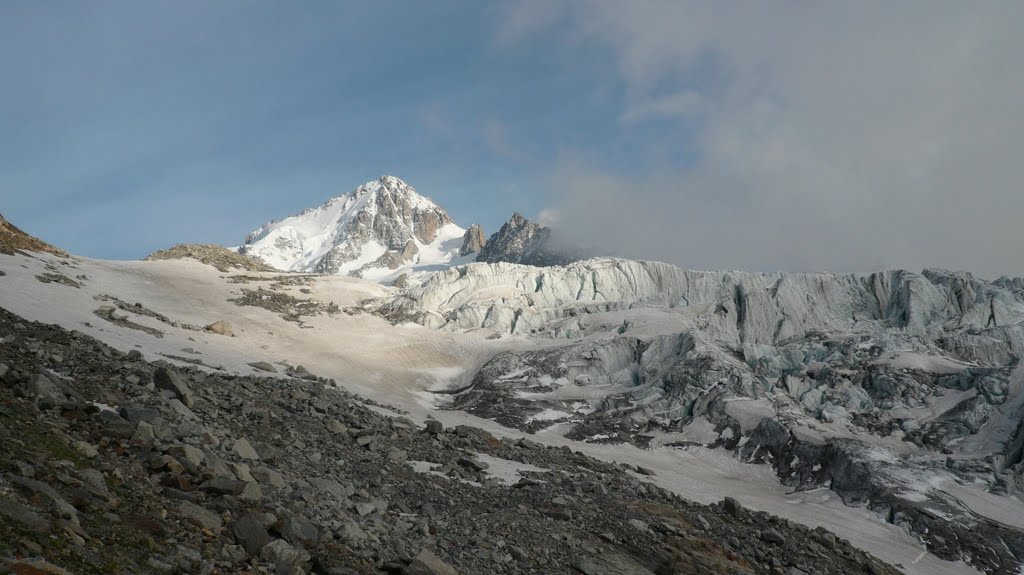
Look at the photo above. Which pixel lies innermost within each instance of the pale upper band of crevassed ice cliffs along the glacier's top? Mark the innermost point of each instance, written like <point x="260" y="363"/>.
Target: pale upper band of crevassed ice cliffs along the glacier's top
<point x="741" y="308"/>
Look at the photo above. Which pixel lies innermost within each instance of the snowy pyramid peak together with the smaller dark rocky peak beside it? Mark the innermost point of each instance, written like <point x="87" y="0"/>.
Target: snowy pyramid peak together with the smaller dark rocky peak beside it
<point x="385" y="230"/>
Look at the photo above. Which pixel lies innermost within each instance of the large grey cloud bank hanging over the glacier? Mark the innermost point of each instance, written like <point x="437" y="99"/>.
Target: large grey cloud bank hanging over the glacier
<point x="844" y="137"/>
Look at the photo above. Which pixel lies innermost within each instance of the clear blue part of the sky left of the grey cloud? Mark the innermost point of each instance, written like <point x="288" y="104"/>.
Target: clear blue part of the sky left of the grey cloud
<point x="131" y="126"/>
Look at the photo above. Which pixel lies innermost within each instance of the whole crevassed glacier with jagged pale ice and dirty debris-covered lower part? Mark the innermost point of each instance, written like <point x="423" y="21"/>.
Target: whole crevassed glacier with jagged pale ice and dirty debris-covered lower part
<point x="879" y="386"/>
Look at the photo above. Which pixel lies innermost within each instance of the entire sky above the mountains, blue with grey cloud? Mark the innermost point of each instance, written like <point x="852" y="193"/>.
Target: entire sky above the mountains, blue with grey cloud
<point x="786" y="136"/>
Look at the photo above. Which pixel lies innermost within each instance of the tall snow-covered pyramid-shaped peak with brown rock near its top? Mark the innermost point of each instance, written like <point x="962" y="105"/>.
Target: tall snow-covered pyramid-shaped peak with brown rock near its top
<point x="378" y="231"/>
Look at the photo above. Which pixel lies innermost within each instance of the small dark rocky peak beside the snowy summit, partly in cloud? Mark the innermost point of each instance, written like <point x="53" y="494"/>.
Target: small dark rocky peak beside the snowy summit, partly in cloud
<point x="523" y="242"/>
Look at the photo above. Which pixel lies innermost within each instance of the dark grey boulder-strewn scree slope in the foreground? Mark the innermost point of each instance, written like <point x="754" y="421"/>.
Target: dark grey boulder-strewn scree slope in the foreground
<point x="113" y="464"/>
